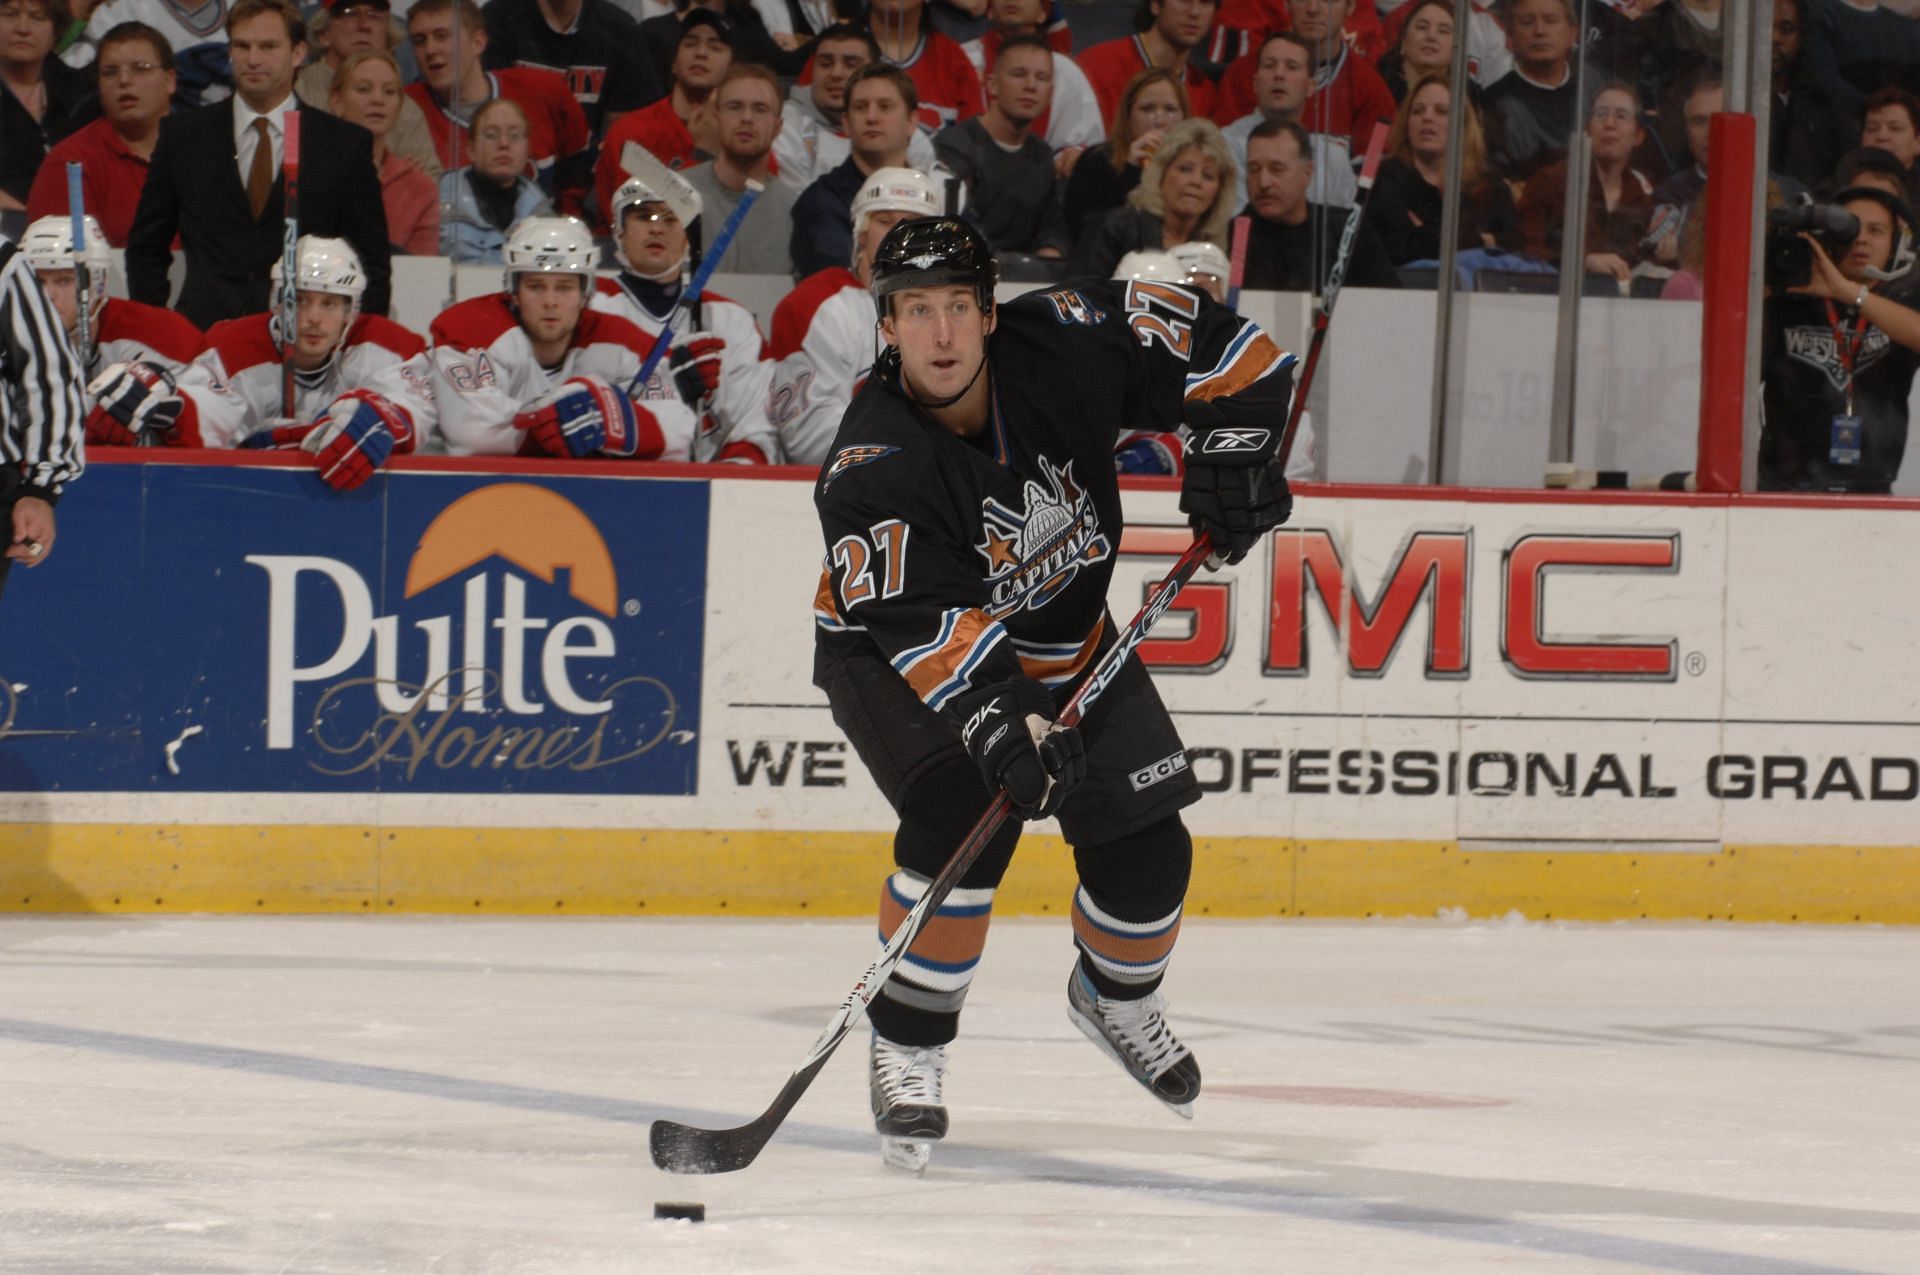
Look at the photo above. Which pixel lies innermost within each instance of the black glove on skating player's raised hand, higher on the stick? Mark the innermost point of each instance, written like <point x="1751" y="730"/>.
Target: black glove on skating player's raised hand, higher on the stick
<point x="1236" y="491"/>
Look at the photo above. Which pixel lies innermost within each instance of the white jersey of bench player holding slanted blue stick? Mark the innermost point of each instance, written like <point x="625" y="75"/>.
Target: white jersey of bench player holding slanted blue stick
<point x="738" y="420"/>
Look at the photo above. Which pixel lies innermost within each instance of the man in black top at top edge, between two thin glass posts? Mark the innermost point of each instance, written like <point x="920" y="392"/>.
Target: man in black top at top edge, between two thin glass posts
<point x="1533" y="110"/>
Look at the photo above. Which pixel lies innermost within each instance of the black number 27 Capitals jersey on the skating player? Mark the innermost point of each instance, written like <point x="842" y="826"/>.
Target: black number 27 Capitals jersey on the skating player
<point x="969" y="562"/>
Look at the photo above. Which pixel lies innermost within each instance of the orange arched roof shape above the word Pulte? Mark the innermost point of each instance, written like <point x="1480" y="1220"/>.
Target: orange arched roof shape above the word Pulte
<point x="531" y="527"/>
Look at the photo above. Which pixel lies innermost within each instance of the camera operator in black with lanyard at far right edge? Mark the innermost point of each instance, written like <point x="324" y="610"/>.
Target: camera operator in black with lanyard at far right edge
<point x="1838" y="354"/>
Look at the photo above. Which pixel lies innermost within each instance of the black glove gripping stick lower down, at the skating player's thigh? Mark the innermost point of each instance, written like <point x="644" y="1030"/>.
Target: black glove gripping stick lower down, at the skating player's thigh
<point x="1011" y="736"/>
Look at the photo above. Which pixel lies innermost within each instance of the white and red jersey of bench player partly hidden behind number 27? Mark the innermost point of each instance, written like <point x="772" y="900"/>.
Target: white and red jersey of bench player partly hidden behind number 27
<point x="823" y="352"/>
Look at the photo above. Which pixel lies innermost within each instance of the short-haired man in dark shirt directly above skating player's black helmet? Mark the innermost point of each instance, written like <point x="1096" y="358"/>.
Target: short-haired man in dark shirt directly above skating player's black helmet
<point x="1013" y="191"/>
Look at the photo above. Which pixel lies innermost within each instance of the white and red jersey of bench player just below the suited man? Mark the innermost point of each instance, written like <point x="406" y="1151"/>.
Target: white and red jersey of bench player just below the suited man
<point x="233" y="389"/>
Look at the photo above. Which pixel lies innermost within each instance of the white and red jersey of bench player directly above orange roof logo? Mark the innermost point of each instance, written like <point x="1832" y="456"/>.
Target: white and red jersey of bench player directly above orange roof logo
<point x="485" y="373"/>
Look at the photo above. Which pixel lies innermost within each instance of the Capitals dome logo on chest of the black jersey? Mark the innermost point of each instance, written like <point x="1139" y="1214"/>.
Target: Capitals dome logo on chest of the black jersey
<point x="1032" y="556"/>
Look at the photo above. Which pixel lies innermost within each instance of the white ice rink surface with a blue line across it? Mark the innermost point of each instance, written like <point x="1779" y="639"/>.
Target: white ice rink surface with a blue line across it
<point x="420" y="1097"/>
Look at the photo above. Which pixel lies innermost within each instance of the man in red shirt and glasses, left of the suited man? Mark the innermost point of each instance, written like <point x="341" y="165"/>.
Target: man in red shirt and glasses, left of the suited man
<point x="135" y="72"/>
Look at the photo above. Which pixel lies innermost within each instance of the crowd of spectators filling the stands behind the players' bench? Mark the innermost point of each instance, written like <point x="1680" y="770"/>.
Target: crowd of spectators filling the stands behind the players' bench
<point x="443" y="126"/>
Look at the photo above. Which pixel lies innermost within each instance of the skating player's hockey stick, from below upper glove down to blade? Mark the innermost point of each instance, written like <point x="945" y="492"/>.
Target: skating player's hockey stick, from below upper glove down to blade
<point x="684" y="1149"/>
